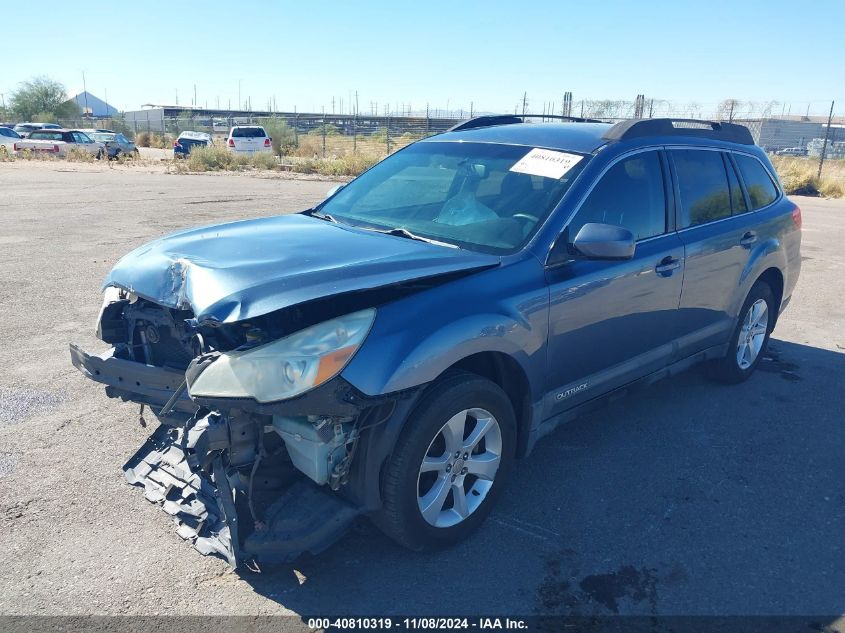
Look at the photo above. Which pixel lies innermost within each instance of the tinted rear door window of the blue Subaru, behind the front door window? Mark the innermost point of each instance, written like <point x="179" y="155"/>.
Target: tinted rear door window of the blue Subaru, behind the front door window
<point x="703" y="185"/>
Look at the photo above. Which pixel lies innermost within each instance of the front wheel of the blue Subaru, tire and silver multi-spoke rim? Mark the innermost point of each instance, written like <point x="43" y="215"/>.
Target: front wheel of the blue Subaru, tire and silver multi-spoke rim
<point x="450" y="463"/>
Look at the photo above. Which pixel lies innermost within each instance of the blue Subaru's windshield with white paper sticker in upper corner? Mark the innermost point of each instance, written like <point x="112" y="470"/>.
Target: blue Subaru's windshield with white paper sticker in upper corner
<point x="480" y="196"/>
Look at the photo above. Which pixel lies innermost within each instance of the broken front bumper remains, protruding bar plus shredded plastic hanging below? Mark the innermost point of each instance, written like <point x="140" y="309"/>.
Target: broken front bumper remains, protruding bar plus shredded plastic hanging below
<point x="202" y="468"/>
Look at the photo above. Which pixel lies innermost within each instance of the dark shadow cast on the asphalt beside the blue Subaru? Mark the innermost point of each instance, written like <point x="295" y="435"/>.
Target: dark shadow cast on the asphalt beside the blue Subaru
<point x="684" y="498"/>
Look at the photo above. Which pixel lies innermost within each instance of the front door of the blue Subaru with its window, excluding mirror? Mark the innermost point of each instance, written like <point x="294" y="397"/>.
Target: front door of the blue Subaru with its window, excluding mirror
<point x="611" y="322"/>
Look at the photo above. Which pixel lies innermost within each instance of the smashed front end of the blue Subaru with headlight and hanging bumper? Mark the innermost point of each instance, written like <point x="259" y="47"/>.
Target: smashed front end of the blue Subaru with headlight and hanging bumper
<point x="258" y="433"/>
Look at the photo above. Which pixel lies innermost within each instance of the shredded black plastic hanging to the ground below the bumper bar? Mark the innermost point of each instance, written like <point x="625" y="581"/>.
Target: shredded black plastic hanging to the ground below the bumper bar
<point x="210" y="508"/>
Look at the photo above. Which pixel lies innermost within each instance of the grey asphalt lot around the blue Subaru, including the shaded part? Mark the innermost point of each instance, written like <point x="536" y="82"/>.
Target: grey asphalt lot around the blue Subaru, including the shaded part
<point x="685" y="498"/>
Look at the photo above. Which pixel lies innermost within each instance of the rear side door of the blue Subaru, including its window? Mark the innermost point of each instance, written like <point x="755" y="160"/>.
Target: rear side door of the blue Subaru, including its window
<point x="718" y="234"/>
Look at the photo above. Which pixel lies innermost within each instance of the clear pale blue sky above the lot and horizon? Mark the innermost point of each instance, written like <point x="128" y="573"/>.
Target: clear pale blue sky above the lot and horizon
<point x="446" y="54"/>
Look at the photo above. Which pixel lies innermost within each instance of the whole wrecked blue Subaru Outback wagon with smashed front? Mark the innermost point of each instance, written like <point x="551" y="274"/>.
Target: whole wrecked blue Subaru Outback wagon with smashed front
<point x="392" y="351"/>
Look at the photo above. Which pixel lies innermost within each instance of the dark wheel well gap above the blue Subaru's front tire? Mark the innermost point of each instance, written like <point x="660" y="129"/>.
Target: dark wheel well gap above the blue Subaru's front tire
<point x="507" y="373"/>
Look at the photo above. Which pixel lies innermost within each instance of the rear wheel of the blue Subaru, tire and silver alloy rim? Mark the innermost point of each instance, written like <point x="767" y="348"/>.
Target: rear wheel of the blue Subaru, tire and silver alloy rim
<point x="750" y="338"/>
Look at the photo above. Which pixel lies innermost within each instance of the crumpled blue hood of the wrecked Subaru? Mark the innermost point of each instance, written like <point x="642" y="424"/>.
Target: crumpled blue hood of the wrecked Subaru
<point x="240" y="270"/>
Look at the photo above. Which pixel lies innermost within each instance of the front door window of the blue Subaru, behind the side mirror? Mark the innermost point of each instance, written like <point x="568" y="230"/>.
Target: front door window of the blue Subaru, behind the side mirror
<point x="631" y="195"/>
